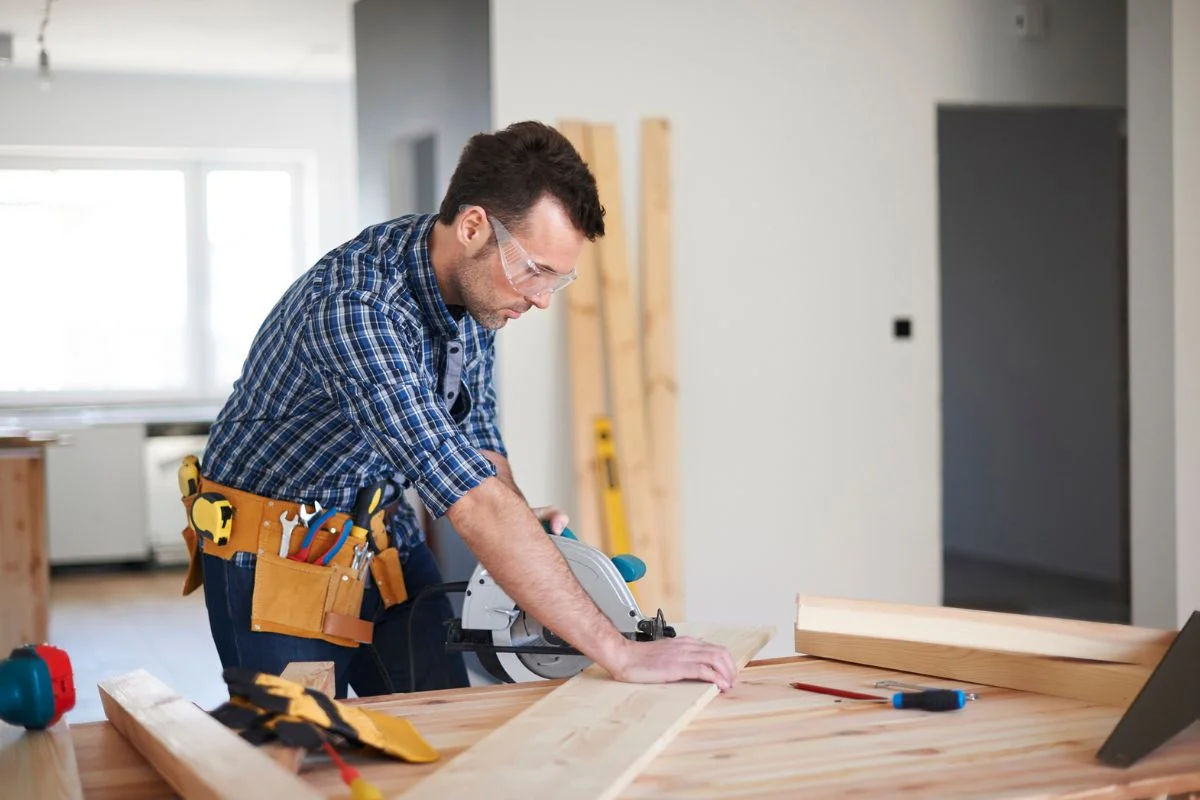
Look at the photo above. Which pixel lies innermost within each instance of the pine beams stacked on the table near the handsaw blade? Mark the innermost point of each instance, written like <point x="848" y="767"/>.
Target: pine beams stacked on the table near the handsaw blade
<point x="1097" y="663"/>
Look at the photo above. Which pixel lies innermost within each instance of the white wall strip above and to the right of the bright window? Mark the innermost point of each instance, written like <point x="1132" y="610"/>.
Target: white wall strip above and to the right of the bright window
<point x="212" y="115"/>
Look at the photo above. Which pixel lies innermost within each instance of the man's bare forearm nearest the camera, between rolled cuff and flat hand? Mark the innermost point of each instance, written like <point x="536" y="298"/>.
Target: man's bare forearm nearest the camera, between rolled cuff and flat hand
<point x="505" y="534"/>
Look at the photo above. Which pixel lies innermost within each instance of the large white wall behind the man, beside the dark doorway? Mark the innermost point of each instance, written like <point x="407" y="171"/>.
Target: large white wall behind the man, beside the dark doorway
<point x="806" y="219"/>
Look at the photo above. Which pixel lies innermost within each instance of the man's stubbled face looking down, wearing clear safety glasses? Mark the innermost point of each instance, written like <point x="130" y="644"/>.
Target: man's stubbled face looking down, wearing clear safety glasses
<point x="548" y="239"/>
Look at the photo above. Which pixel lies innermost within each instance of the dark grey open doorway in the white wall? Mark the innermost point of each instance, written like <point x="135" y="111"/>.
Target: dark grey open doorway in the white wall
<point x="1035" y="377"/>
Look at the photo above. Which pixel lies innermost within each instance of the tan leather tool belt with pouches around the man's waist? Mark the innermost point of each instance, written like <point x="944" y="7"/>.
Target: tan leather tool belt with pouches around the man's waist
<point x="298" y="598"/>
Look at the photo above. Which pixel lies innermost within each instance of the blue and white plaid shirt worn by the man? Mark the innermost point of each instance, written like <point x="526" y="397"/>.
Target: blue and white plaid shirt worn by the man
<point x="362" y="372"/>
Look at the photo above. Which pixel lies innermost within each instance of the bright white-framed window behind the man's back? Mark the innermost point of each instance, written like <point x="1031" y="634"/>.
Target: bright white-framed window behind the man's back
<point x="139" y="281"/>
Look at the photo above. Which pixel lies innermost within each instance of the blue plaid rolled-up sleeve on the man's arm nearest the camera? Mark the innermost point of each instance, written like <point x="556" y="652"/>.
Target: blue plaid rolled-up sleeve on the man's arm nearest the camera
<point x="358" y="348"/>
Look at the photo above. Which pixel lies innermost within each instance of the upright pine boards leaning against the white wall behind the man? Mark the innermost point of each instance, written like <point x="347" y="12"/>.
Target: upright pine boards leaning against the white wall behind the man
<point x="622" y="368"/>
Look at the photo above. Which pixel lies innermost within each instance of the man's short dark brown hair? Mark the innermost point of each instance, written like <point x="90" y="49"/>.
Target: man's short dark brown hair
<point x="509" y="171"/>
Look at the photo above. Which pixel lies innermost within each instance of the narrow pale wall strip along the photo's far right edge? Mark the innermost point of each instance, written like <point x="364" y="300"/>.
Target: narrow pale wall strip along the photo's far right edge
<point x="1186" y="123"/>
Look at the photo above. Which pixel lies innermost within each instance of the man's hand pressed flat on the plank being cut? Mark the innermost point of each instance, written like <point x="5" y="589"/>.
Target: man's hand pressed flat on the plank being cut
<point x="679" y="659"/>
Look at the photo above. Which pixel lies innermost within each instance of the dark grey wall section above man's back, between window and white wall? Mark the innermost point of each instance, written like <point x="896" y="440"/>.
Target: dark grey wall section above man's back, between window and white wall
<point x="423" y="70"/>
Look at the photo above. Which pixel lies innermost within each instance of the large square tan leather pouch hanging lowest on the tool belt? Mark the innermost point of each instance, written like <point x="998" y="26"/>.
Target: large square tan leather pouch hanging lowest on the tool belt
<point x="308" y="600"/>
